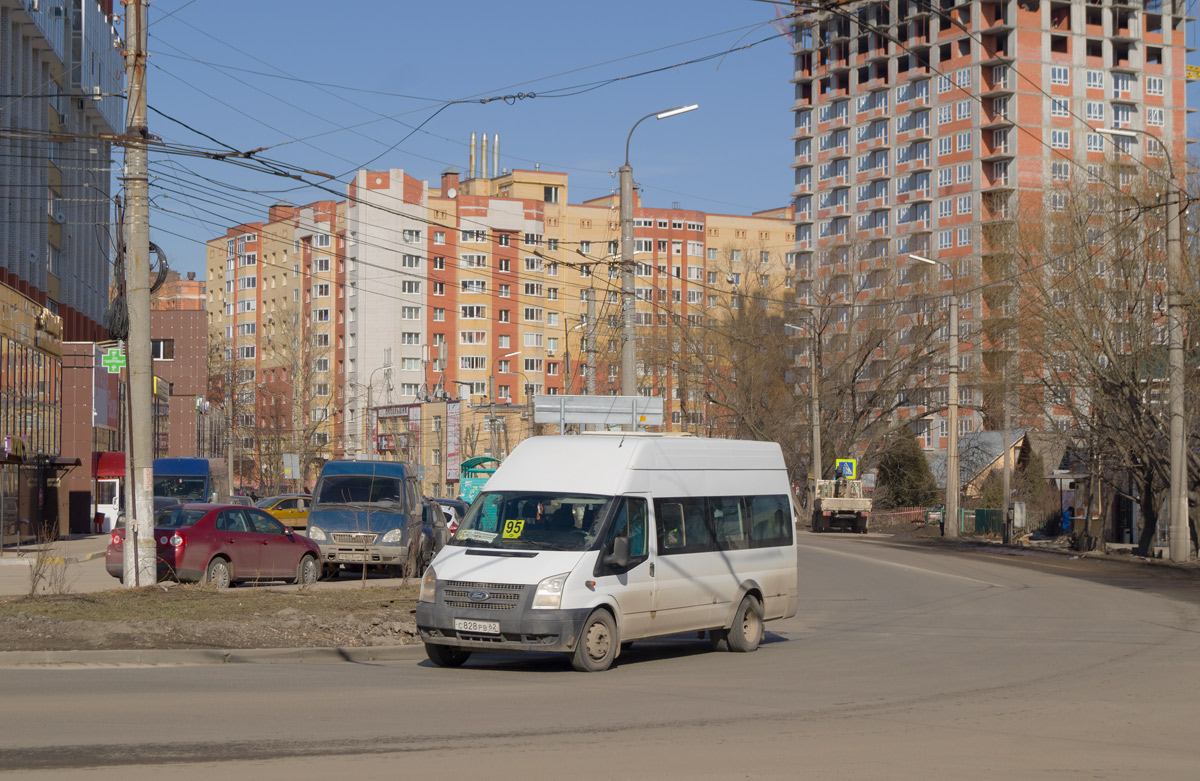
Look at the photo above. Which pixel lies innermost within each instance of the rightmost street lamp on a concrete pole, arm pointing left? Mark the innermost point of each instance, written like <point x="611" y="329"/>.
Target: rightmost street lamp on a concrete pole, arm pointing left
<point x="1180" y="549"/>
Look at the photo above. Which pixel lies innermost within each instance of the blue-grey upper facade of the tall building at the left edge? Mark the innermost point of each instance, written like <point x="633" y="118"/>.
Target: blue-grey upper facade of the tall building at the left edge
<point x="62" y="75"/>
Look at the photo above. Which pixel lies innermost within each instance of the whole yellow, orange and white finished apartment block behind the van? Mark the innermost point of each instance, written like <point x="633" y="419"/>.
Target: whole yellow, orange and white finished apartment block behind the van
<point x="484" y="289"/>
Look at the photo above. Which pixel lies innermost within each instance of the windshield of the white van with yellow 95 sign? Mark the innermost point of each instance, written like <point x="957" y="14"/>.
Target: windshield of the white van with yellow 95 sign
<point x="533" y="521"/>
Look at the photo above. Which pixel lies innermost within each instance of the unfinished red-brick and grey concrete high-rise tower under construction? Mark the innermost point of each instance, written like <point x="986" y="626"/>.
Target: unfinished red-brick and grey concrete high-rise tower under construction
<point x="935" y="128"/>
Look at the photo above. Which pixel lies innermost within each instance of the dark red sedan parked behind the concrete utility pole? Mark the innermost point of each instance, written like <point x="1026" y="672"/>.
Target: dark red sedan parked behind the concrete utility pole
<point x="223" y="545"/>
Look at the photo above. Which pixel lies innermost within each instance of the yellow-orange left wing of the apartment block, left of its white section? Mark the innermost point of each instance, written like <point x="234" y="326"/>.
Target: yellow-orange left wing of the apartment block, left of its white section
<point x="278" y="309"/>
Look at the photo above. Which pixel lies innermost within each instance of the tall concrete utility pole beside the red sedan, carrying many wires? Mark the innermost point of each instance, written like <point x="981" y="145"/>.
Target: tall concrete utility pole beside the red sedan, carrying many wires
<point x="137" y="271"/>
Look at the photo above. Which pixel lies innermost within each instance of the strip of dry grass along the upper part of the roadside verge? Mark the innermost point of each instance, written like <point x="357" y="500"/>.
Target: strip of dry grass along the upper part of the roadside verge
<point x="201" y="603"/>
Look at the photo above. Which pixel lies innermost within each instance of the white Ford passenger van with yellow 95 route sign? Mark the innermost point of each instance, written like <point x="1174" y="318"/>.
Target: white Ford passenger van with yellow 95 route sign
<point x="581" y="544"/>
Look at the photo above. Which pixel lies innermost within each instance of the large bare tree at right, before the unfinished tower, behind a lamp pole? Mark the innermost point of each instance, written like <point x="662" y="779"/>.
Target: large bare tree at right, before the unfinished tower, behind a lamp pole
<point x="1095" y="283"/>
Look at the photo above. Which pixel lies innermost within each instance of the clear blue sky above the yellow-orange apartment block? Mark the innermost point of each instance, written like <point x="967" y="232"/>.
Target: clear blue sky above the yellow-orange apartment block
<point x="405" y="61"/>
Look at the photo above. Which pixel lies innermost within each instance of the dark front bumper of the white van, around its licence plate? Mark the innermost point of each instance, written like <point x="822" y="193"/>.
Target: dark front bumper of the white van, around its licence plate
<point x="521" y="629"/>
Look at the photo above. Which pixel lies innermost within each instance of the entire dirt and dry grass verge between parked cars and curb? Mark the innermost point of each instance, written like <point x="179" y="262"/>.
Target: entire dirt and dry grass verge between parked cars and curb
<point x="195" y="617"/>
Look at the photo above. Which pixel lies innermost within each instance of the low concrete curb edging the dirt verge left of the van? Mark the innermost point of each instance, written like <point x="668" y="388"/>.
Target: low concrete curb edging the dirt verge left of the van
<point x="157" y="658"/>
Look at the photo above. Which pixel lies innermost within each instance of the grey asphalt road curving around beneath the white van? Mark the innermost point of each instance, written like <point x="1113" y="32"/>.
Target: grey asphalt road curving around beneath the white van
<point x="903" y="663"/>
